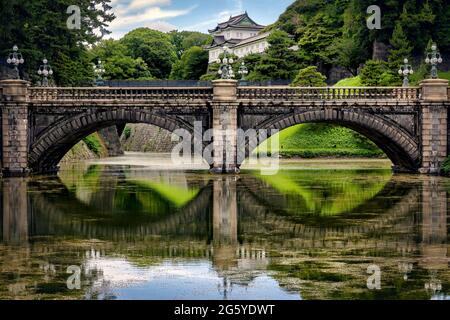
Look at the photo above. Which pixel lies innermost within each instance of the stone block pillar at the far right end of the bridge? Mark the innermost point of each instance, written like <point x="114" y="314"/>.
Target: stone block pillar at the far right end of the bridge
<point x="434" y="124"/>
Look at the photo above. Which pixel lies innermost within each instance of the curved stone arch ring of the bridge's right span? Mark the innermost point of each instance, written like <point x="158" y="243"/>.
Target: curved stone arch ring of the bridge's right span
<point x="399" y="145"/>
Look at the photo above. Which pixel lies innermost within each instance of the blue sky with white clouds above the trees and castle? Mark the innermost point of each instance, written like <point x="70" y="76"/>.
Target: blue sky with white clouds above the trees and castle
<point x="195" y="15"/>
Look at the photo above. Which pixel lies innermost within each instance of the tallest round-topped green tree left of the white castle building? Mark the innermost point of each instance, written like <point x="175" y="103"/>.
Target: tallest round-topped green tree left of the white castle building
<point x="154" y="47"/>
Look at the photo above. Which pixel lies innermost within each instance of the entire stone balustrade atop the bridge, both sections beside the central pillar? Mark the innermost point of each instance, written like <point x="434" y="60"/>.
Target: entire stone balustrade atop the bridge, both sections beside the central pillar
<point x="206" y="93"/>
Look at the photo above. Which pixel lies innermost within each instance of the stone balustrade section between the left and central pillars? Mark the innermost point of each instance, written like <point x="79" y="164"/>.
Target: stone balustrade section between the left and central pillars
<point x="112" y="93"/>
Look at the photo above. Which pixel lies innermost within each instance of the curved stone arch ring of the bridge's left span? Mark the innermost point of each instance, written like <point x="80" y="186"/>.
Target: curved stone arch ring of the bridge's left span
<point x="50" y="147"/>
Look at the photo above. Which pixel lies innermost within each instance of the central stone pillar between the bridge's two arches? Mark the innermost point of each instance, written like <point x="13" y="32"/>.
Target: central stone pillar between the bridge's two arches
<point x="224" y="125"/>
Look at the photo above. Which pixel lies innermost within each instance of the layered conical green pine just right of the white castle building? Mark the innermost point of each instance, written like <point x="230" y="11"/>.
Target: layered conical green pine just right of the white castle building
<point x="279" y="62"/>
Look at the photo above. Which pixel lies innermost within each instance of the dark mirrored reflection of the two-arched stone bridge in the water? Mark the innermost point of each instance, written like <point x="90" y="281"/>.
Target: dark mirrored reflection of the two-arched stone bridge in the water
<point x="226" y="212"/>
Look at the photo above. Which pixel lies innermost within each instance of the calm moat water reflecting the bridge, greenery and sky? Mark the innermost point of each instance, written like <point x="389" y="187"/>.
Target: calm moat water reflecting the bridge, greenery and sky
<point x="136" y="227"/>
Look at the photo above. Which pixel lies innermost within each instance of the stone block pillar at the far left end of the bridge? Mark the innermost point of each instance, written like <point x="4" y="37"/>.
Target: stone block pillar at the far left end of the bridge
<point x="14" y="128"/>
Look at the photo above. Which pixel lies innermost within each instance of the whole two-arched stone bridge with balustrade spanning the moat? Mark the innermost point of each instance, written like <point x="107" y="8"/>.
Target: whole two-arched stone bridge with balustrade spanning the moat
<point x="39" y="125"/>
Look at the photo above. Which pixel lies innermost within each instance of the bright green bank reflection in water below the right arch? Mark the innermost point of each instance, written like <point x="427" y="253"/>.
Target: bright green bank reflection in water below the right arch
<point x="324" y="192"/>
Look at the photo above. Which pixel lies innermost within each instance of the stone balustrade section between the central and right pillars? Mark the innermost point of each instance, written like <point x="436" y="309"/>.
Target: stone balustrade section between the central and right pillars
<point x="329" y="93"/>
